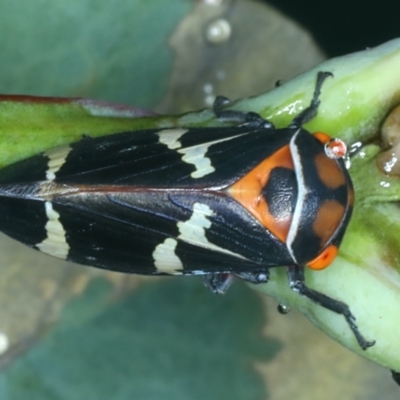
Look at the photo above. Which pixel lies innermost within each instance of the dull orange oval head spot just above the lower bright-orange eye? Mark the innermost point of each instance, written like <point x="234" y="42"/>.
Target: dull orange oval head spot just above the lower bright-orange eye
<point x="328" y="218"/>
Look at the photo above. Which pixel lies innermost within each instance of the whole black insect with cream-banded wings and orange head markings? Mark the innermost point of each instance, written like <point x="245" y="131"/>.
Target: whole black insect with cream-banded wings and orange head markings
<point x="215" y="202"/>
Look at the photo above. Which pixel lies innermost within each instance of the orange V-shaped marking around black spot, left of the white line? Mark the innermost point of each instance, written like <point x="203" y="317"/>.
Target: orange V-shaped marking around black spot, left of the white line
<point x="248" y="192"/>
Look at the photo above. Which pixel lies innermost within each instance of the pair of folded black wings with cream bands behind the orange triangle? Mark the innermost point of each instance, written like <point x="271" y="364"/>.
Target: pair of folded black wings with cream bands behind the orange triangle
<point x="120" y="230"/>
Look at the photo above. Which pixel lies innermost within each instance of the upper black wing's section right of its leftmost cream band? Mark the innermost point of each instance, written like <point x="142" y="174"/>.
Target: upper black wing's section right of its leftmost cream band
<point x="141" y="159"/>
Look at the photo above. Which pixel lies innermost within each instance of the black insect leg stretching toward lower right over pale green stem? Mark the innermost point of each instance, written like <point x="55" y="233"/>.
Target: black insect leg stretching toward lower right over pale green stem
<point x="297" y="283"/>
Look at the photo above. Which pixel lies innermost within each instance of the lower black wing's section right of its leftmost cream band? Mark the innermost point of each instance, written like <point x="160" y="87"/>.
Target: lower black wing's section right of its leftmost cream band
<point x="122" y="231"/>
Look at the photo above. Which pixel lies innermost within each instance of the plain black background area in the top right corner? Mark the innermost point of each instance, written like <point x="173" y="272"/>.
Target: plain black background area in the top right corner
<point x="348" y="26"/>
